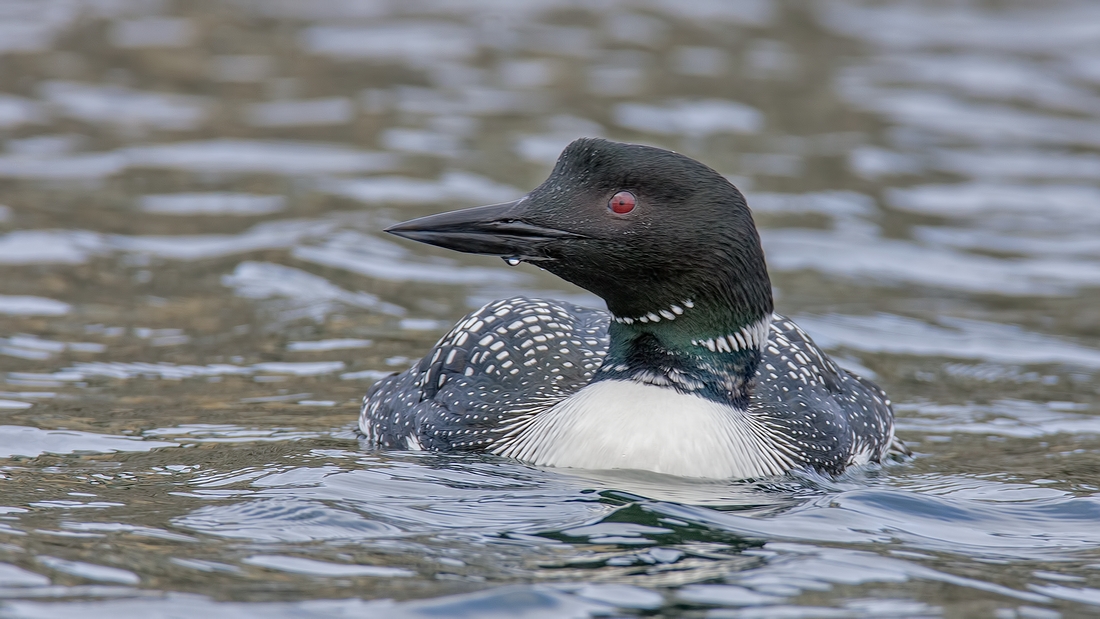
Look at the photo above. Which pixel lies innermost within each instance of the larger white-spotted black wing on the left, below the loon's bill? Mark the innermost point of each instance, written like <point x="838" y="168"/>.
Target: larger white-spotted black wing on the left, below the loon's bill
<point x="497" y="368"/>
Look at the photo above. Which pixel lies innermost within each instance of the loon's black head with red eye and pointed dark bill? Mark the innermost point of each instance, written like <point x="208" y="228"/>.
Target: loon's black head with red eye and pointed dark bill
<point x="666" y="241"/>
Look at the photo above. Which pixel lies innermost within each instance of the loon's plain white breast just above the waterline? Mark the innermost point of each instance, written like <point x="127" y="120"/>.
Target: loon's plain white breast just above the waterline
<point x="628" y="425"/>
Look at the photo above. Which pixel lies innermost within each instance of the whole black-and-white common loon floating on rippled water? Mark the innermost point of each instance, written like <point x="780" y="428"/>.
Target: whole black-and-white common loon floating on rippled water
<point x="689" y="373"/>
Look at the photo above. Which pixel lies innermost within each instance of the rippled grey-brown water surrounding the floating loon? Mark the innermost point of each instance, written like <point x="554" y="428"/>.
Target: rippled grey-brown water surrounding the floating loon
<point x="196" y="294"/>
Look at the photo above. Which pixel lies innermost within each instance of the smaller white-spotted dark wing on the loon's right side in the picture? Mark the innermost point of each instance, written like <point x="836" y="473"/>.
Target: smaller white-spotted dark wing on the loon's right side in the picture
<point x="821" y="413"/>
